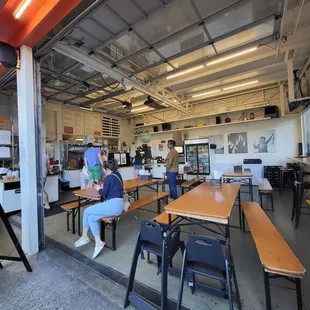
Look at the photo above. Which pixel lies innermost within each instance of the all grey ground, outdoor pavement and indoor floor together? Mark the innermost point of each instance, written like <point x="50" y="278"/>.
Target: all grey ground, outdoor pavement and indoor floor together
<point x="64" y="278"/>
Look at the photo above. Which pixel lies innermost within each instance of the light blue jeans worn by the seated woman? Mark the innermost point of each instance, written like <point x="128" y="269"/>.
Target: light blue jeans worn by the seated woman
<point x="93" y="214"/>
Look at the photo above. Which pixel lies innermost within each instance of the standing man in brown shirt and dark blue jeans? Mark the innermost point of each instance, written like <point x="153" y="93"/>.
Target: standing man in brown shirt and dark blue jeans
<point x="172" y="168"/>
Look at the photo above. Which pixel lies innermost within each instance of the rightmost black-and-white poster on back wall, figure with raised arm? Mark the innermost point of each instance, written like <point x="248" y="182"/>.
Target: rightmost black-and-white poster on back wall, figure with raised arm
<point x="264" y="141"/>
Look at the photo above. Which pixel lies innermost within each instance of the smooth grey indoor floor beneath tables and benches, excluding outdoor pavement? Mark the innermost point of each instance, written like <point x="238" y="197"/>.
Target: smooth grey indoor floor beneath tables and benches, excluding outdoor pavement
<point x="248" y="267"/>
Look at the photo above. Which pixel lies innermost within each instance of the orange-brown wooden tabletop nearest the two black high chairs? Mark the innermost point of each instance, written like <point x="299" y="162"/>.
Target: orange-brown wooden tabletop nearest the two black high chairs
<point x="206" y="202"/>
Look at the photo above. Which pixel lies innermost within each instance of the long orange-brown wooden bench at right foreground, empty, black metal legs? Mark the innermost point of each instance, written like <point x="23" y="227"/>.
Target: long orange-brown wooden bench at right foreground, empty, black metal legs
<point x="277" y="258"/>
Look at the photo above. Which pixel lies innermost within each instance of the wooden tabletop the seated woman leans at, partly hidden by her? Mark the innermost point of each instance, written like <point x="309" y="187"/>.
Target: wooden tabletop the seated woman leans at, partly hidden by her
<point x="91" y="193"/>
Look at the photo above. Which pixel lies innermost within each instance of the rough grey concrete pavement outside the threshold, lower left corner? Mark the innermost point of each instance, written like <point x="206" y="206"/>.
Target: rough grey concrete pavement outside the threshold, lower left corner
<point x="57" y="282"/>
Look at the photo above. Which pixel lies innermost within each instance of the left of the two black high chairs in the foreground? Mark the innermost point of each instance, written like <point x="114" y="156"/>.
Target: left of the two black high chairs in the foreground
<point x="163" y="241"/>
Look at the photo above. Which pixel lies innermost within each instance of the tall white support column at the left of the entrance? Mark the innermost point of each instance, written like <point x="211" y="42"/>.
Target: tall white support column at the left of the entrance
<point x="27" y="150"/>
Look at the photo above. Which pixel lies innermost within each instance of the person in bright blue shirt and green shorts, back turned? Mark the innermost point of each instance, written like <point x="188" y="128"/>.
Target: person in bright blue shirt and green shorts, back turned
<point x="93" y="162"/>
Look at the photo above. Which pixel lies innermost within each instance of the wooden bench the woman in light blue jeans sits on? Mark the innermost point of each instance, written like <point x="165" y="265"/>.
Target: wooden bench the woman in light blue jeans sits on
<point x="112" y="221"/>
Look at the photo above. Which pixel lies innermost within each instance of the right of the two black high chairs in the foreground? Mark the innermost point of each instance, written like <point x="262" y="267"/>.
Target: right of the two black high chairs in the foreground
<point x="204" y="256"/>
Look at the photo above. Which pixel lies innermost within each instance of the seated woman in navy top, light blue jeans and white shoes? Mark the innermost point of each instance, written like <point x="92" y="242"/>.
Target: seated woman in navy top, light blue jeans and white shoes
<point x="112" y="191"/>
